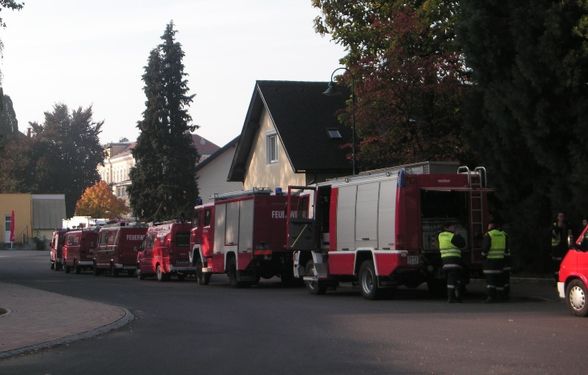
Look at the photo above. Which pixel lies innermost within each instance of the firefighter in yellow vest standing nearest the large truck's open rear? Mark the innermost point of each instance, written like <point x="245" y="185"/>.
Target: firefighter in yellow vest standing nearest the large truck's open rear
<point x="450" y="245"/>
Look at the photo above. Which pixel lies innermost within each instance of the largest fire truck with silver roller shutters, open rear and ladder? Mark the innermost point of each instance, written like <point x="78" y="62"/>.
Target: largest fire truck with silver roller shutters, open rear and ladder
<point x="379" y="228"/>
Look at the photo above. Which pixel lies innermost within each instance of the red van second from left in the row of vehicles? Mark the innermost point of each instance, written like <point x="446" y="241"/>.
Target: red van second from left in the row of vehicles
<point x="78" y="250"/>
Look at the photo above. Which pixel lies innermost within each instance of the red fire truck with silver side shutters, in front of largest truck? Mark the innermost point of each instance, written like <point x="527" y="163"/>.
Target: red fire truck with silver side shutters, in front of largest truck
<point x="242" y="234"/>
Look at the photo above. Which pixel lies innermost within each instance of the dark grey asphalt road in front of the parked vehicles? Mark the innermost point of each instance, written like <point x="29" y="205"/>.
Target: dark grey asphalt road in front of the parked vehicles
<point x="184" y="329"/>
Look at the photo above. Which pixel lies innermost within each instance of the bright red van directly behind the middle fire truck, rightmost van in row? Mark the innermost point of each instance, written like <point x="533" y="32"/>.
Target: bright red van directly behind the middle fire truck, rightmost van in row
<point x="165" y="252"/>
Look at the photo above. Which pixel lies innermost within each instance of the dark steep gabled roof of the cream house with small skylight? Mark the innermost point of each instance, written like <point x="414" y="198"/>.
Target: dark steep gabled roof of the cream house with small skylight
<point x="302" y="116"/>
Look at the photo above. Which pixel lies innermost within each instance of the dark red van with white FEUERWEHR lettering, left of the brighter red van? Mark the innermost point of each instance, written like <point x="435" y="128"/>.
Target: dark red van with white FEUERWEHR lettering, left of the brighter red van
<point x="117" y="248"/>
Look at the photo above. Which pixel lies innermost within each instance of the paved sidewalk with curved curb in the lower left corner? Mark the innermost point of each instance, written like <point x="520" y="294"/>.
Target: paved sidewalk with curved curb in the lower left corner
<point x="37" y="319"/>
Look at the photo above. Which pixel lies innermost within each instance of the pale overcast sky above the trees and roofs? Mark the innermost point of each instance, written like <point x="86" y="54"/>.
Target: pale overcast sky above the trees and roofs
<point x="82" y="53"/>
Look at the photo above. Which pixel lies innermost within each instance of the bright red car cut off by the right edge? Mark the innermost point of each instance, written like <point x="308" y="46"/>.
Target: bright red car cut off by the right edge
<point x="573" y="276"/>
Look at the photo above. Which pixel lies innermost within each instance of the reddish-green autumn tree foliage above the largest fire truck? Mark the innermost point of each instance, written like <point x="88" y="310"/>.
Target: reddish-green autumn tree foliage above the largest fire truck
<point x="409" y="77"/>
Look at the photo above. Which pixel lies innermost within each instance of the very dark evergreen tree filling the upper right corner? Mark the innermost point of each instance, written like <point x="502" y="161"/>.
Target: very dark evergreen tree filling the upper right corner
<point x="528" y="115"/>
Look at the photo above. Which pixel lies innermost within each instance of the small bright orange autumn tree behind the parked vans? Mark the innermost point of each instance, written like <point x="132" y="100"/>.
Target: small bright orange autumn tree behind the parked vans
<point x="99" y="201"/>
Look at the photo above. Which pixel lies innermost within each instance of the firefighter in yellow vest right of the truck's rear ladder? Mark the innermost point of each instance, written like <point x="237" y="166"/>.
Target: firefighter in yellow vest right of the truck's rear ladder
<point x="494" y="252"/>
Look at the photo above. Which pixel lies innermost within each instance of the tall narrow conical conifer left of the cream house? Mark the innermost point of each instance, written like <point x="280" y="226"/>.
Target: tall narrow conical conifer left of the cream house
<point x="163" y="180"/>
